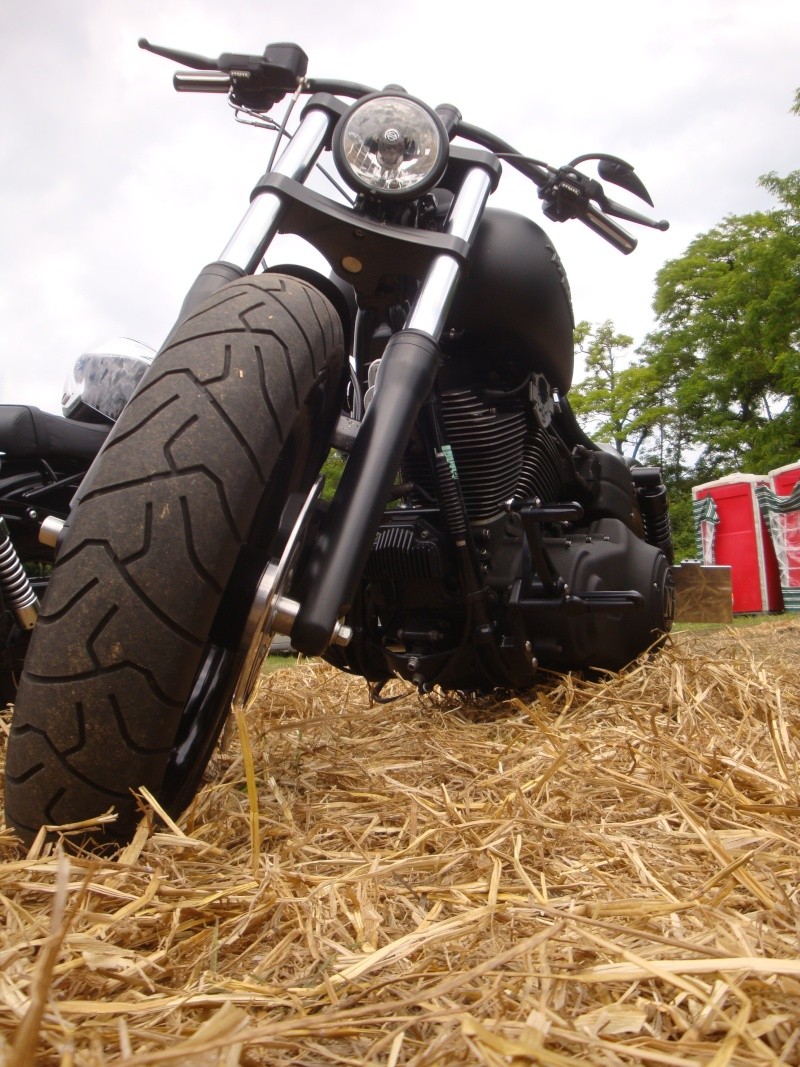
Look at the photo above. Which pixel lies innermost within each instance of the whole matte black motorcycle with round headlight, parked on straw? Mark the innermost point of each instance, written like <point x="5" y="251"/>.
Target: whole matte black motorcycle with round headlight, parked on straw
<point x="477" y="536"/>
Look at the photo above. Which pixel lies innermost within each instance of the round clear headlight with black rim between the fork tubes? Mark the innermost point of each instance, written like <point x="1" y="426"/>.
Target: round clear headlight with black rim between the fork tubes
<point x="391" y="146"/>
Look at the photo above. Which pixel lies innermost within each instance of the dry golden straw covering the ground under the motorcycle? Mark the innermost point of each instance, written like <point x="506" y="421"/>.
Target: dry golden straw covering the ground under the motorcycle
<point x="600" y="873"/>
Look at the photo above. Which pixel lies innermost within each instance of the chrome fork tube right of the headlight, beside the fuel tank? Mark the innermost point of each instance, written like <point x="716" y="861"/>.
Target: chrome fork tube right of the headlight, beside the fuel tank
<point x="436" y="295"/>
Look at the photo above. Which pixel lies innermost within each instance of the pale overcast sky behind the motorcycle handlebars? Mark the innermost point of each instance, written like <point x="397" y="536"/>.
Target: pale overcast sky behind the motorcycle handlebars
<point x="116" y="190"/>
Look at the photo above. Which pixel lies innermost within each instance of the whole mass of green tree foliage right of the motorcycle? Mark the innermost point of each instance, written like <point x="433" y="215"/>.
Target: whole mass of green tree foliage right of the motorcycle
<point x="716" y="388"/>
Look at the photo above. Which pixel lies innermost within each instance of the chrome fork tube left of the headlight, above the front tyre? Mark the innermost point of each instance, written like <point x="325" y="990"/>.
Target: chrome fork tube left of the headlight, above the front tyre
<point x="261" y="224"/>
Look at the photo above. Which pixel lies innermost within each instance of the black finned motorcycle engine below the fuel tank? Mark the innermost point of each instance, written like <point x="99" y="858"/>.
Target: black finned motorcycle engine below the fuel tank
<point x="559" y="535"/>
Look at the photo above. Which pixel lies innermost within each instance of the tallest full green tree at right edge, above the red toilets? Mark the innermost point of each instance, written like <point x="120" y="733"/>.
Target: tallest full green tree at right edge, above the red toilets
<point x="729" y="333"/>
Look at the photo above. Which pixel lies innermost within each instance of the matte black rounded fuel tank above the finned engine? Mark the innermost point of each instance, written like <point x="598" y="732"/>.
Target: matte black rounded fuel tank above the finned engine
<point x="516" y="296"/>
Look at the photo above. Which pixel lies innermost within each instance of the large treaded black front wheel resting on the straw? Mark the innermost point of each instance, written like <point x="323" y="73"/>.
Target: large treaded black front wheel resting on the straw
<point x="133" y="661"/>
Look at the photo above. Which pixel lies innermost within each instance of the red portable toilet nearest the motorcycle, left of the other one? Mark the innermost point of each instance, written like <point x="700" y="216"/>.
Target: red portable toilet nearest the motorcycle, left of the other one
<point x="740" y="539"/>
